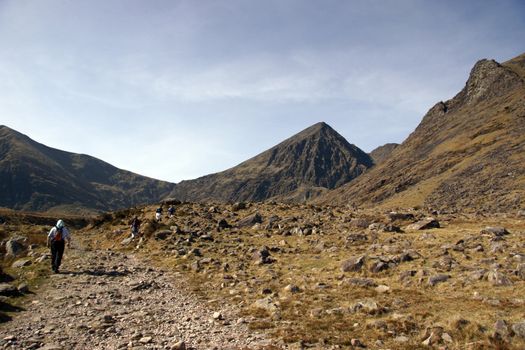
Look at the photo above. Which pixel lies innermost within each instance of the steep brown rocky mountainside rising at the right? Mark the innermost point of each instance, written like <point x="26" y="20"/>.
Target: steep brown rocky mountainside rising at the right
<point x="468" y="153"/>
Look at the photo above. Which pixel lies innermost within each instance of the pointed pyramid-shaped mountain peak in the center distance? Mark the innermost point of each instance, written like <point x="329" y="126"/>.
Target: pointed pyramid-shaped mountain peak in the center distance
<point x="301" y="167"/>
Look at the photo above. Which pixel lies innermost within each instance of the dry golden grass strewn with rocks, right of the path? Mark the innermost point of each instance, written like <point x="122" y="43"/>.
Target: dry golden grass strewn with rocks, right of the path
<point x="322" y="312"/>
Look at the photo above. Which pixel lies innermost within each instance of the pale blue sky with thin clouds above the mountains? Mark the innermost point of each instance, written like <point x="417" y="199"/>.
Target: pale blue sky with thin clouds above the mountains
<point x="175" y="90"/>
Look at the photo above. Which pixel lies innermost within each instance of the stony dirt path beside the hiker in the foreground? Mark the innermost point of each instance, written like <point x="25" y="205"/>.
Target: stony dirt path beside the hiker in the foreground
<point x="108" y="300"/>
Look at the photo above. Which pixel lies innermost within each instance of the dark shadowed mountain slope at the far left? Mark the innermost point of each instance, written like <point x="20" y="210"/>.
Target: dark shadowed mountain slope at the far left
<point x="37" y="177"/>
